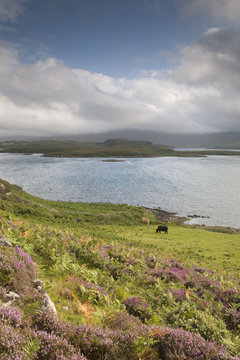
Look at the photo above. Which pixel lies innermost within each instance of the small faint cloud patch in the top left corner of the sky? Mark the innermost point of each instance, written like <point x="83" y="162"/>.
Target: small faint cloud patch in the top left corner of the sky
<point x="11" y="9"/>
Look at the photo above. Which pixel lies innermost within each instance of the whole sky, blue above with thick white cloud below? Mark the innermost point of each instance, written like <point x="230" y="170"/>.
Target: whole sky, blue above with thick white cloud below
<point x="90" y="66"/>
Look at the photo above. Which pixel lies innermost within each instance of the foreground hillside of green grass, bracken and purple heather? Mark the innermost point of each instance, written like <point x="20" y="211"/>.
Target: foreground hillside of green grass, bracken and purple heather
<point x="121" y="290"/>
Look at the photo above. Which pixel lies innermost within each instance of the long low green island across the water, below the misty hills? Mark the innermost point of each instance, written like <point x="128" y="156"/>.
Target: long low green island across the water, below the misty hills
<point x="112" y="148"/>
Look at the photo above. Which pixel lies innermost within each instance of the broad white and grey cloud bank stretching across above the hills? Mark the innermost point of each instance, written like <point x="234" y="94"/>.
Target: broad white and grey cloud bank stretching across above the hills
<point x="201" y="95"/>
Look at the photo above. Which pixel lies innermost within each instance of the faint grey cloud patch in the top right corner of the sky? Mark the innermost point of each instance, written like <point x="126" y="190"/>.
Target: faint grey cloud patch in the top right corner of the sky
<point x="223" y="9"/>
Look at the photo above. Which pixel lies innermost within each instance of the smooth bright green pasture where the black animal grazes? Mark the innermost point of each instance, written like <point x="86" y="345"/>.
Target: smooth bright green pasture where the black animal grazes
<point x="189" y="245"/>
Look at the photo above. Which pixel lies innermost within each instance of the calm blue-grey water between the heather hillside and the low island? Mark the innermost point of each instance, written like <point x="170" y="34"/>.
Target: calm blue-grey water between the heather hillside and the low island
<point x="208" y="187"/>
